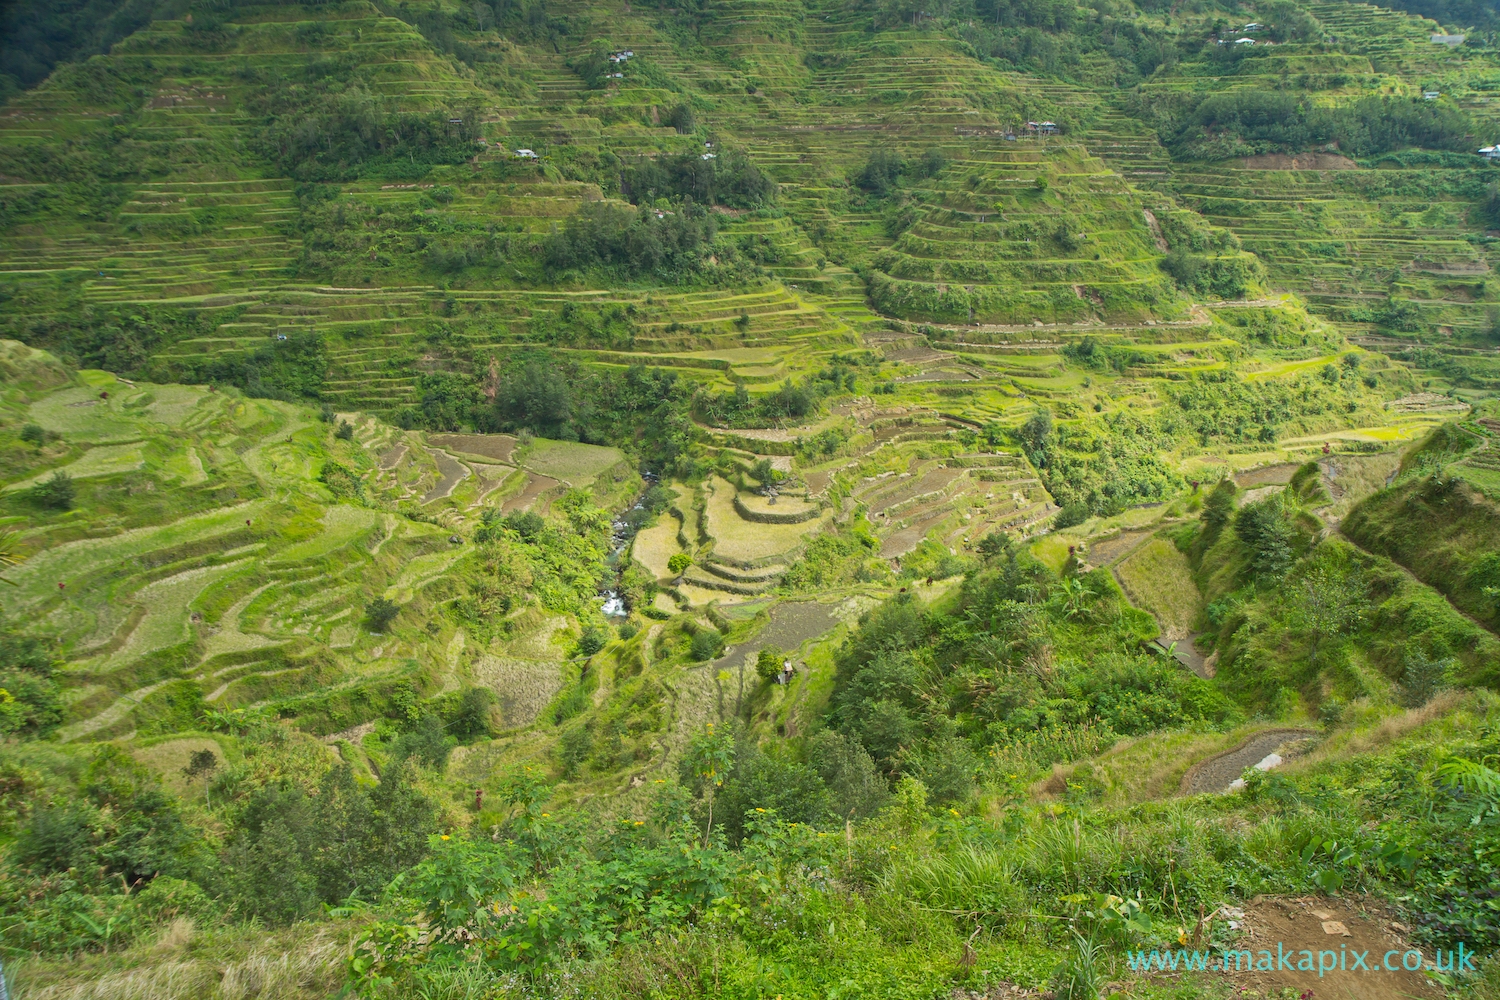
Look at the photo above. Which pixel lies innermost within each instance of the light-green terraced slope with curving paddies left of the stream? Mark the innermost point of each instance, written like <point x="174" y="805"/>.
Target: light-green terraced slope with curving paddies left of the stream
<point x="221" y="551"/>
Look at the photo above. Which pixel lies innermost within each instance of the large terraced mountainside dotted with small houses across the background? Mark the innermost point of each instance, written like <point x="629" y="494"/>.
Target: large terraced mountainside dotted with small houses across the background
<point x="838" y="239"/>
